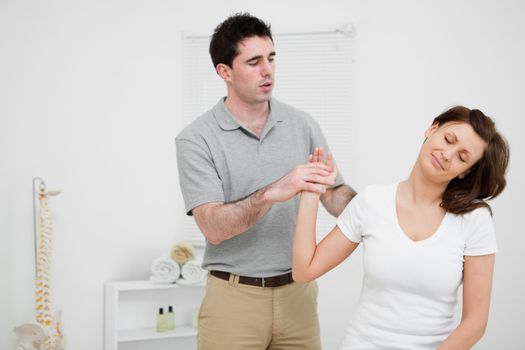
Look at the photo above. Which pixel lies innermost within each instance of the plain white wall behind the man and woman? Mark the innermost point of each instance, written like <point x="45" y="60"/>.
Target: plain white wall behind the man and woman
<point x="90" y="101"/>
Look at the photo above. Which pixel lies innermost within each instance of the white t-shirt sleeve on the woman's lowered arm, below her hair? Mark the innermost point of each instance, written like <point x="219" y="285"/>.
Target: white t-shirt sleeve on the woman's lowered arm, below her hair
<point x="480" y="234"/>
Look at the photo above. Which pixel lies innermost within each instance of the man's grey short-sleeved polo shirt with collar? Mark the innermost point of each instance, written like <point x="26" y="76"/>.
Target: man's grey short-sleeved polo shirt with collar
<point x="221" y="161"/>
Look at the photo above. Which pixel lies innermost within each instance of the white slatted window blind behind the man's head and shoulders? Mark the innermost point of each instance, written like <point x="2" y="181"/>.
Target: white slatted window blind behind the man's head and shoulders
<point x="313" y="73"/>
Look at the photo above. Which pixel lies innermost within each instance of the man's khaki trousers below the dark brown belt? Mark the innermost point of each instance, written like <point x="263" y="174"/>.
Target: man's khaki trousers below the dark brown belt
<point x="236" y="316"/>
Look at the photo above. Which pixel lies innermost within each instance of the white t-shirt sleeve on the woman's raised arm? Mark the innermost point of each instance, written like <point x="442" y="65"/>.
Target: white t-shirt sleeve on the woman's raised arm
<point x="350" y="221"/>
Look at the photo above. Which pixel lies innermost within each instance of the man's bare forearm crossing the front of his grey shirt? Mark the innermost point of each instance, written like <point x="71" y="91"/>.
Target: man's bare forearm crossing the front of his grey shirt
<point x="224" y="221"/>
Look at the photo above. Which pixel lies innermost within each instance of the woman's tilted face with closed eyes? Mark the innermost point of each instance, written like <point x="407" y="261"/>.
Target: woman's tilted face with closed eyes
<point x="450" y="150"/>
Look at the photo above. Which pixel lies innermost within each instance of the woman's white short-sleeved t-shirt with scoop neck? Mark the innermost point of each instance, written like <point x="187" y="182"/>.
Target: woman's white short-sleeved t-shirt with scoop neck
<point x="409" y="288"/>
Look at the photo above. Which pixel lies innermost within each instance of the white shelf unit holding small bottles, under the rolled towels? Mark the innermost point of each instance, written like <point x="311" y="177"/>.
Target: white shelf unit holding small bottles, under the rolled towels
<point x="131" y="309"/>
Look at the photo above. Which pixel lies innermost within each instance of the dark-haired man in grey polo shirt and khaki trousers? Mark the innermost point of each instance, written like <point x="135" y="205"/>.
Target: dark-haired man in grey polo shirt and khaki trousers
<point x="241" y="166"/>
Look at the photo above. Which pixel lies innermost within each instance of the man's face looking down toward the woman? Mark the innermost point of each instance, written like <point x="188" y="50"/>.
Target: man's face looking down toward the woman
<point x="251" y="76"/>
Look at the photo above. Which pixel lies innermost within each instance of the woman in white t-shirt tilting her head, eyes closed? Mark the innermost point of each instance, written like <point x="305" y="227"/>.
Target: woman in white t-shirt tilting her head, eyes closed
<point x="421" y="239"/>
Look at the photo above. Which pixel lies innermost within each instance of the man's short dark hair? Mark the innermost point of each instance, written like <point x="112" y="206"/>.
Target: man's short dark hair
<point x="228" y="34"/>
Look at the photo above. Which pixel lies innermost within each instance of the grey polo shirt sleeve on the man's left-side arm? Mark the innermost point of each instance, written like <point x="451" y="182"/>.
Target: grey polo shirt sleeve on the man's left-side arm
<point x="198" y="177"/>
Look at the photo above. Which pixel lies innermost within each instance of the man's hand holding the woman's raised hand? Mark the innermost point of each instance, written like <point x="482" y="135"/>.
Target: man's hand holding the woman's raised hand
<point x="313" y="177"/>
